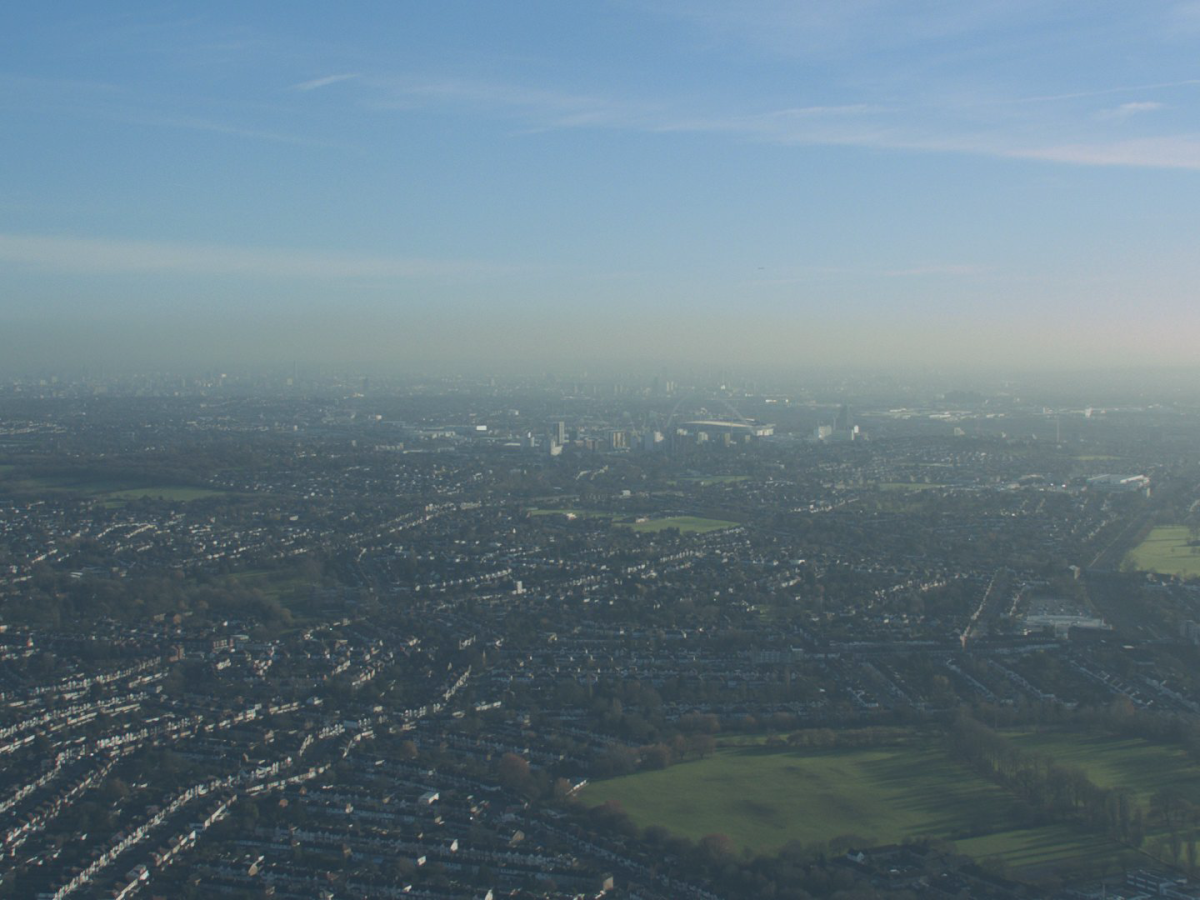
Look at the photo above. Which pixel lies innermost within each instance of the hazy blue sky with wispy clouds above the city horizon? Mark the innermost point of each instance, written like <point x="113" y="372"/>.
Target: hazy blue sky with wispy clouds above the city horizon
<point x="860" y="182"/>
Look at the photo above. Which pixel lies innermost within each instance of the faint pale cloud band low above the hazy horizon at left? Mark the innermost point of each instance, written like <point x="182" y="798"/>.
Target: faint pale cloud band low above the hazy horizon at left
<point x="135" y="257"/>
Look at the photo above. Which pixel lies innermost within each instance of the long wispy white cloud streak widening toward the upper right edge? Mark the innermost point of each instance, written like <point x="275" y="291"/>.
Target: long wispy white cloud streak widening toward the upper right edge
<point x="1066" y="134"/>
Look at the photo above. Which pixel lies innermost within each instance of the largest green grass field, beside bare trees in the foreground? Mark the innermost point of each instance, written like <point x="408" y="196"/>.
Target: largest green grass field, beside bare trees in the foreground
<point x="764" y="799"/>
